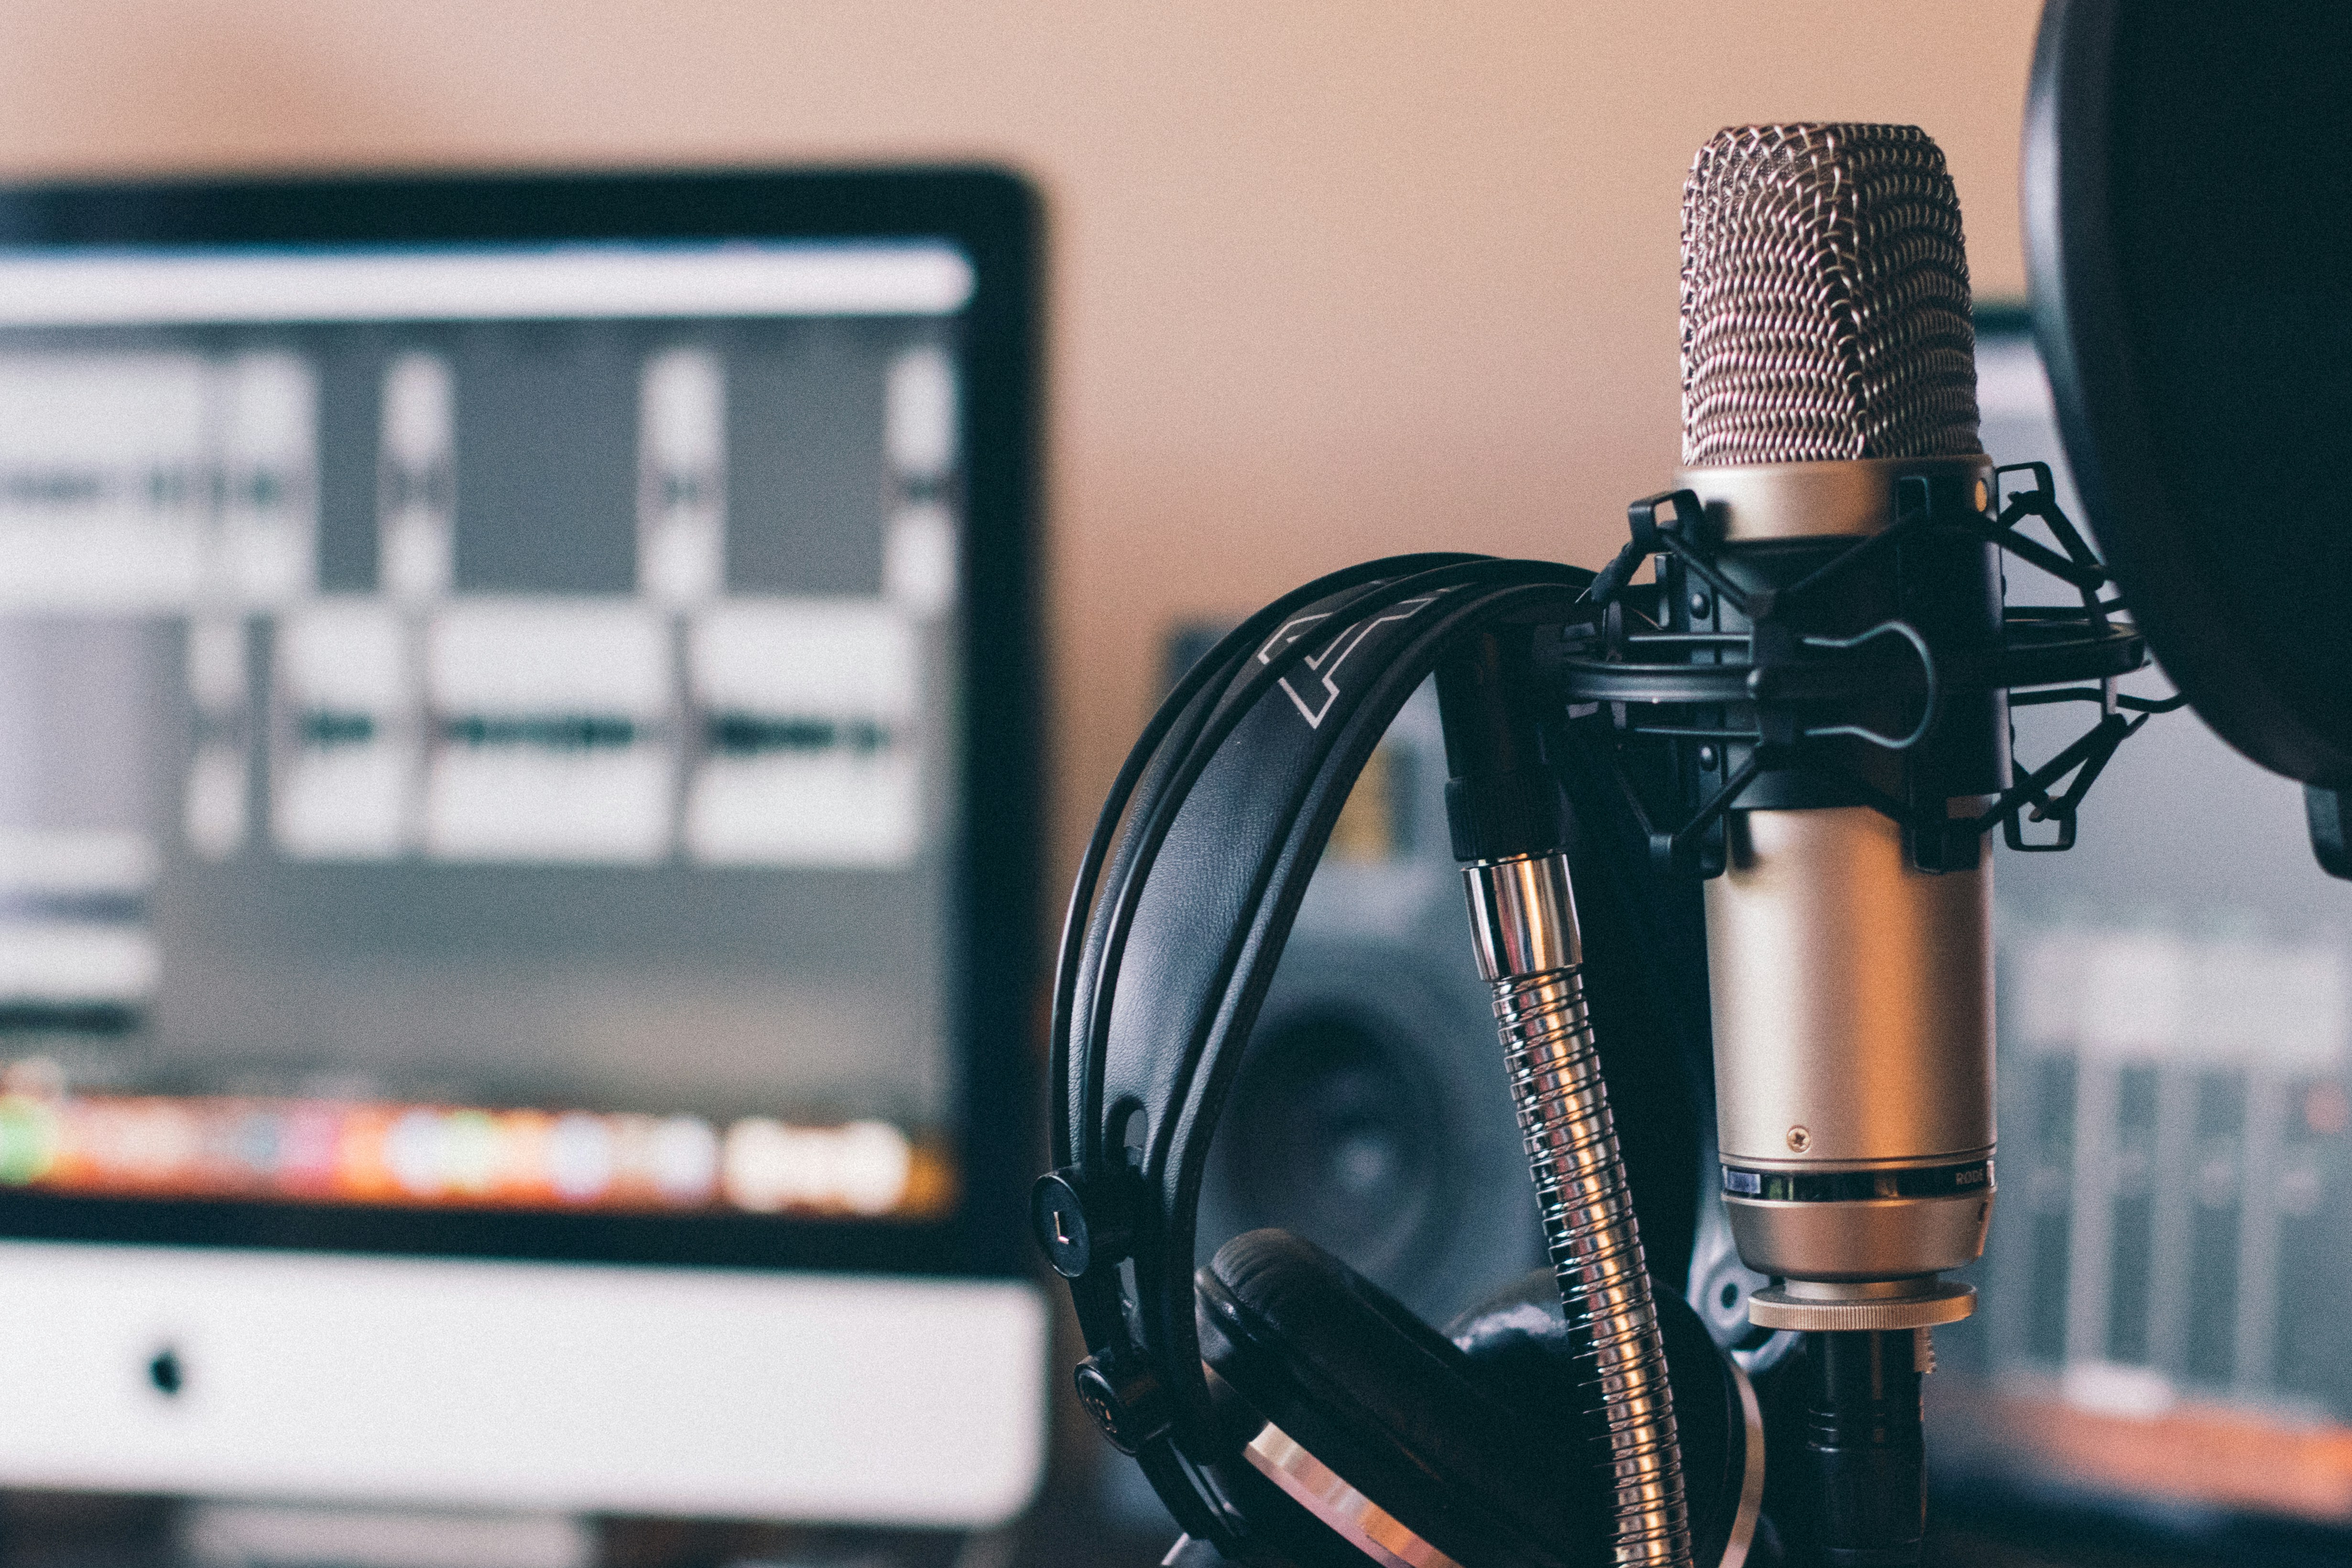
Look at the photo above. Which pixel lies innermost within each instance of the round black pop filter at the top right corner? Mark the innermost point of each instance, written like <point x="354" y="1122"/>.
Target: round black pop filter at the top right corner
<point x="2189" y="225"/>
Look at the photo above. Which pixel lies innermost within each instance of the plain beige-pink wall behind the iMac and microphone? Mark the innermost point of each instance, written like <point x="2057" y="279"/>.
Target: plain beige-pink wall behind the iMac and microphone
<point x="1330" y="279"/>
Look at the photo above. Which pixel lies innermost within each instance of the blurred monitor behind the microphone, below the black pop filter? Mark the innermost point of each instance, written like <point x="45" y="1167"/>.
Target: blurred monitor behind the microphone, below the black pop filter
<point x="2160" y="1304"/>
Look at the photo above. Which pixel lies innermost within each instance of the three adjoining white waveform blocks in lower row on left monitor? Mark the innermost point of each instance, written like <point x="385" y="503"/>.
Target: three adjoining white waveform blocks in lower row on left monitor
<point x="566" y="730"/>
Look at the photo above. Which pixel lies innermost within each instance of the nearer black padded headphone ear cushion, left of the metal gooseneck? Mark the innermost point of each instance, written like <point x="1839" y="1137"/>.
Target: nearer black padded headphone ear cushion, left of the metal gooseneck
<point x="1394" y="1407"/>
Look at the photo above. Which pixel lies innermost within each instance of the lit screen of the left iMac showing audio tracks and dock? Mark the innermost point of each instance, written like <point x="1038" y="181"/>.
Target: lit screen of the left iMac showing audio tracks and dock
<point x="476" y="728"/>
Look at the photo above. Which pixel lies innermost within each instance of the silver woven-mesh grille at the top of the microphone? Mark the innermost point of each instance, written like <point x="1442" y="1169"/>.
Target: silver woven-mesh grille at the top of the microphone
<point x="1824" y="300"/>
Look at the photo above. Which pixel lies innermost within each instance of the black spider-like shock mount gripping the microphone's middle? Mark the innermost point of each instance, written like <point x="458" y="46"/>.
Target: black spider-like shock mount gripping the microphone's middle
<point x="1831" y="671"/>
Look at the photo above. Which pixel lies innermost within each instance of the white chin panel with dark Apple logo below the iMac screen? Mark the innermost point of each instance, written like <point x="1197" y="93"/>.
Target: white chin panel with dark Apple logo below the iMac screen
<point x="502" y="1386"/>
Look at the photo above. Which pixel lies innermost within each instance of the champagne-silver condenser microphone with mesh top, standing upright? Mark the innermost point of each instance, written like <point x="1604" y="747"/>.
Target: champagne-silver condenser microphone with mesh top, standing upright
<point x="1829" y="391"/>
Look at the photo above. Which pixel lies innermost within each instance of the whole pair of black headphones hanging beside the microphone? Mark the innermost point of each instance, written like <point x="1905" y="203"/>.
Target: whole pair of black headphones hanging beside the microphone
<point x="1283" y="1407"/>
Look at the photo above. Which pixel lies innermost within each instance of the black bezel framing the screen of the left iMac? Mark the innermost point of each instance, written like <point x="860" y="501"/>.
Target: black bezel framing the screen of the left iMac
<point x="994" y="217"/>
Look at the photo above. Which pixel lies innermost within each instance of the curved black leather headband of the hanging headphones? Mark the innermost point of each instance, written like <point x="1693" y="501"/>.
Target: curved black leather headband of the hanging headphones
<point x="1210" y="836"/>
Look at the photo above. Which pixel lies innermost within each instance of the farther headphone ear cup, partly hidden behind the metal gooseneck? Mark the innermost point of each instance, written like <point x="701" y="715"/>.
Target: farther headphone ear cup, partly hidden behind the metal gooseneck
<point x="1518" y="1343"/>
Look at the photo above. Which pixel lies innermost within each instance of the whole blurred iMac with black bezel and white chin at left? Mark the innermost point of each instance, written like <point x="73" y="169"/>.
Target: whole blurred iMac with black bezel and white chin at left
<point x="519" y="817"/>
